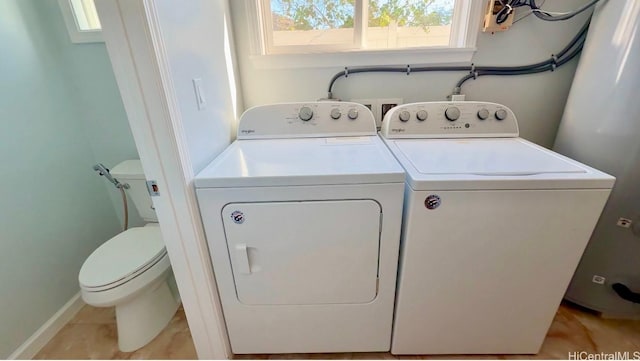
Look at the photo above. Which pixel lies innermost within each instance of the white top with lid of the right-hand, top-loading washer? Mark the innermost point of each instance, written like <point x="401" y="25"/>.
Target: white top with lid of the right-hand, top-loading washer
<point x="491" y="163"/>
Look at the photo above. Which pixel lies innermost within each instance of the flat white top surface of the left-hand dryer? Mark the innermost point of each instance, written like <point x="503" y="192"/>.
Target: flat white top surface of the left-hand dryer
<point x="303" y="161"/>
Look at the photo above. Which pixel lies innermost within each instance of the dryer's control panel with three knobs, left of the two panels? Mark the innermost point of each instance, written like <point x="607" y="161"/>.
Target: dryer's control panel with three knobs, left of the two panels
<point x="304" y="120"/>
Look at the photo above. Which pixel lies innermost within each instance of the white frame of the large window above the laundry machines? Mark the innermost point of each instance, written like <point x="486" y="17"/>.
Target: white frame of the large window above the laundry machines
<point x="462" y="45"/>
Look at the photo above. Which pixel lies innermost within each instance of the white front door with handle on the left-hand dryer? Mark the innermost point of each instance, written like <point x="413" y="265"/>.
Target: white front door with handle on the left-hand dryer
<point x="306" y="252"/>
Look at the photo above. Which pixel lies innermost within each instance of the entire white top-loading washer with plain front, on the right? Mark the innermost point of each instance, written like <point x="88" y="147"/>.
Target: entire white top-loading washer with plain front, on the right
<point x="494" y="227"/>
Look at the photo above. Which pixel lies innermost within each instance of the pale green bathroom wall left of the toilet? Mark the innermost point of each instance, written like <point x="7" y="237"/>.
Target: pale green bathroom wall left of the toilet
<point x="54" y="209"/>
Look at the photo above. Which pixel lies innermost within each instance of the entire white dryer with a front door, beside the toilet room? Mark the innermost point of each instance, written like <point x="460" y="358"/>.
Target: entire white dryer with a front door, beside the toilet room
<point x="302" y="214"/>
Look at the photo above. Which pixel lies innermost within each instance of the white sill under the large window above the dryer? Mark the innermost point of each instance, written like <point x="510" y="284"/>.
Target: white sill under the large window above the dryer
<point x="433" y="56"/>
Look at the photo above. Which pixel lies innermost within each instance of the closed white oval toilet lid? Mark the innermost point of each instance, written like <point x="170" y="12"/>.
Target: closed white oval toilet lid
<point x="122" y="256"/>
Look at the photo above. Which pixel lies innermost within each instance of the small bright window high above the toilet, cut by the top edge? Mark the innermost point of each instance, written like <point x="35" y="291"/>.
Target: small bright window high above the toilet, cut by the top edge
<point x="81" y="18"/>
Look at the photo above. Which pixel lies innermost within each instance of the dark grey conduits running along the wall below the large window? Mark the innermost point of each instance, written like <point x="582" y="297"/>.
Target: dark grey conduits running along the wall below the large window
<point x="570" y="51"/>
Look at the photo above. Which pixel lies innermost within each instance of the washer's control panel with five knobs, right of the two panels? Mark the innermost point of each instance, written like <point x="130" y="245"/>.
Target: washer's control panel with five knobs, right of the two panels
<point x="450" y="120"/>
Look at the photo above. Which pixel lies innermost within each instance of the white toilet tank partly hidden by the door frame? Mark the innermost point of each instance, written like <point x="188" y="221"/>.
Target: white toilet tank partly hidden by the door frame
<point x="131" y="172"/>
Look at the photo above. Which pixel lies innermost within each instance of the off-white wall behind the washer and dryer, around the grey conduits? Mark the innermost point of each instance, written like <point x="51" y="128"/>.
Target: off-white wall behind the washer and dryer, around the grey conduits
<point x="537" y="100"/>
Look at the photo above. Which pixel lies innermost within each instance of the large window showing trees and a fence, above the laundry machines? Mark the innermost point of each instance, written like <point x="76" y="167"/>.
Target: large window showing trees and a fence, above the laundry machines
<point x="320" y="27"/>
